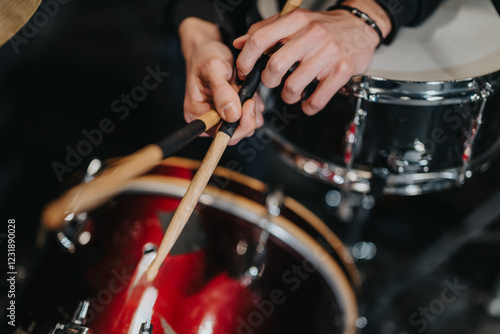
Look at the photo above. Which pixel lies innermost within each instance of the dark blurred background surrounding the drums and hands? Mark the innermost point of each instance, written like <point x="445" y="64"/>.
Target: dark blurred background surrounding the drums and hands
<point x="62" y="81"/>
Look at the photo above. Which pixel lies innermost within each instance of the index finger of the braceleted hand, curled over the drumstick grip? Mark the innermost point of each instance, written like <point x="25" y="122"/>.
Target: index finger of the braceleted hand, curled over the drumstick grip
<point x="267" y="36"/>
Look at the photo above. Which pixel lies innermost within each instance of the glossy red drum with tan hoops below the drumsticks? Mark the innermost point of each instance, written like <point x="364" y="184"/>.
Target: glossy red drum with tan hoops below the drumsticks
<point x="239" y="266"/>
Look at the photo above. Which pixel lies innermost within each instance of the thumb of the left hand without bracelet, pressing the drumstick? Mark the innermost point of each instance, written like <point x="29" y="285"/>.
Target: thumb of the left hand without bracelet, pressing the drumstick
<point x="226" y="100"/>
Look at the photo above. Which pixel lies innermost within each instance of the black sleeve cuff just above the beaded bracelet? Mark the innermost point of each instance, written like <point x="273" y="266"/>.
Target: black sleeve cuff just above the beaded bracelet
<point x="406" y="13"/>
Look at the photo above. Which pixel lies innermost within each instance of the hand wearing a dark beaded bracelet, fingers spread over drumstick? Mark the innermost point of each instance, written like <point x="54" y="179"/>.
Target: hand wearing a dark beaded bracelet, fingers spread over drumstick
<point x="330" y="46"/>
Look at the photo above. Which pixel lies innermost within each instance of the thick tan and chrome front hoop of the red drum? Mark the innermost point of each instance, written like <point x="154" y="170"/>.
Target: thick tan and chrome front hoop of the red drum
<point x="281" y="227"/>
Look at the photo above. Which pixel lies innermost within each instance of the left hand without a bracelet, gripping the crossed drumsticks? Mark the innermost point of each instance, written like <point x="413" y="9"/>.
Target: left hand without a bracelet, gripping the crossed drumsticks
<point x="210" y="79"/>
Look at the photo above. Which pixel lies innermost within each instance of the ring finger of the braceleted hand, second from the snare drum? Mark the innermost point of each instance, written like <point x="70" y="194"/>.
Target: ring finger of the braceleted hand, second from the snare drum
<point x="303" y="75"/>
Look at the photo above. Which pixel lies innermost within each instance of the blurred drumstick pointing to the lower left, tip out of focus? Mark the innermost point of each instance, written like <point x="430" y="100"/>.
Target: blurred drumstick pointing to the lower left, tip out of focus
<point x="87" y="196"/>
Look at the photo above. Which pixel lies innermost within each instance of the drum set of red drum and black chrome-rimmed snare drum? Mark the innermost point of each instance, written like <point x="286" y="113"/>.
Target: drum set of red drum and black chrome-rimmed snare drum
<point x="424" y="118"/>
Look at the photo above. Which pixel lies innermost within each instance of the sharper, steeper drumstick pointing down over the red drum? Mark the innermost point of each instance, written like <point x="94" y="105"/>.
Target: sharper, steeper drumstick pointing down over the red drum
<point x="209" y="163"/>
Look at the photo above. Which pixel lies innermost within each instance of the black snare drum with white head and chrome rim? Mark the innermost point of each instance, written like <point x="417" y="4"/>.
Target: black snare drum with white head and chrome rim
<point x="424" y="117"/>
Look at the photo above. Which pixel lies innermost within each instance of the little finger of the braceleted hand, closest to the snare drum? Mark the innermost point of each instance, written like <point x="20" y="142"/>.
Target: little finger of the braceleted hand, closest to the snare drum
<point x="326" y="89"/>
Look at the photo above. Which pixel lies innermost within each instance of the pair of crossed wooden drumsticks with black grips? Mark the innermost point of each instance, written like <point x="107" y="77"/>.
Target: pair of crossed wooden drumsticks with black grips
<point x="88" y="196"/>
